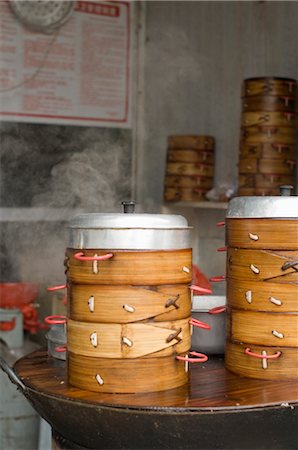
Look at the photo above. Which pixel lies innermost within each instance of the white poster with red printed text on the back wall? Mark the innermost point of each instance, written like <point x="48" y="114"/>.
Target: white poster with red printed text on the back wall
<point x="78" y="75"/>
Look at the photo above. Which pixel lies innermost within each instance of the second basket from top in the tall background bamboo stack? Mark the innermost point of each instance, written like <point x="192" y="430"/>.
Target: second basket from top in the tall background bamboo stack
<point x="269" y="103"/>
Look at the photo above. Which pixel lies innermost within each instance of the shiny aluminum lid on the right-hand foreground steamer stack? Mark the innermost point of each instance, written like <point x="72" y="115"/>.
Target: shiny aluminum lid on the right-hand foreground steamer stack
<point x="263" y="207"/>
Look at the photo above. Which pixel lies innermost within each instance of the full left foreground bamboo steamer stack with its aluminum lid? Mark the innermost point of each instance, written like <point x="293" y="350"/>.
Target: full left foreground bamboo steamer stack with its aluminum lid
<point x="128" y="327"/>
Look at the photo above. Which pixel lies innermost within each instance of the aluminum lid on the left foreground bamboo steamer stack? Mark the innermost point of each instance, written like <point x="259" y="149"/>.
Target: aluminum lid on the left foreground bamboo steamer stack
<point x="129" y="232"/>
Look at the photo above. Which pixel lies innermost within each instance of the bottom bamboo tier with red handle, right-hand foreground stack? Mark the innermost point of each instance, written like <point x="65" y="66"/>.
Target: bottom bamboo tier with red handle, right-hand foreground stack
<point x="284" y="367"/>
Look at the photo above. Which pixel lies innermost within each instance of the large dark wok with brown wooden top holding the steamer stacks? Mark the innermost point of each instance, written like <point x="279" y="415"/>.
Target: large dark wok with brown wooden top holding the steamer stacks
<point x="216" y="410"/>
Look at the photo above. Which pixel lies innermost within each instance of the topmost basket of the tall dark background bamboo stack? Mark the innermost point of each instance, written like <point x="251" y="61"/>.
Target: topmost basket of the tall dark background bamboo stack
<point x="269" y="86"/>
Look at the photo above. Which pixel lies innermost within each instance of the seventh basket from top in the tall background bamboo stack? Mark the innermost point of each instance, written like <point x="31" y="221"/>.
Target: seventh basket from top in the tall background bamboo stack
<point x="262" y="180"/>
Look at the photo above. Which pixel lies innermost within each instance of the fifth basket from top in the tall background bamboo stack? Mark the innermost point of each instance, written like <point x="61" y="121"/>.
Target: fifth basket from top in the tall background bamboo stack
<point x="267" y="150"/>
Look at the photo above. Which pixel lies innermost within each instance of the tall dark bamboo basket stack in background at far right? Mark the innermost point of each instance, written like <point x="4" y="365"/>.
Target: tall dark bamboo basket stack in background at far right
<point x="268" y="152"/>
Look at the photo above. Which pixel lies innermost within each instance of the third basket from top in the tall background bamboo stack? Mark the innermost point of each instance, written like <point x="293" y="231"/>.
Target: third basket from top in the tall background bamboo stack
<point x="280" y="118"/>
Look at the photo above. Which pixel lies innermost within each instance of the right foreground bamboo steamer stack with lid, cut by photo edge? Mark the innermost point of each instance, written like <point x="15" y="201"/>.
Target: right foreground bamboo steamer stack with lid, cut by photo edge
<point x="262" y="282"/>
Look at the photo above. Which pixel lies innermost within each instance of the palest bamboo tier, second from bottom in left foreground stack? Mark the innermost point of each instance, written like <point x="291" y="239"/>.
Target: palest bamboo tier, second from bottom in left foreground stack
<point x="133" y="340"/>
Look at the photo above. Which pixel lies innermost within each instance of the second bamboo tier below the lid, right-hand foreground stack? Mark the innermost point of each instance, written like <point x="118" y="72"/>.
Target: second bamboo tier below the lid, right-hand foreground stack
<point x="262" y="265"/>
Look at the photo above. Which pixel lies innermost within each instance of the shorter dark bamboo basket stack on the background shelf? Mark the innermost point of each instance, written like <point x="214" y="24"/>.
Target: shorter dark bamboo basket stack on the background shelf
<point x="189" y="167"/>
